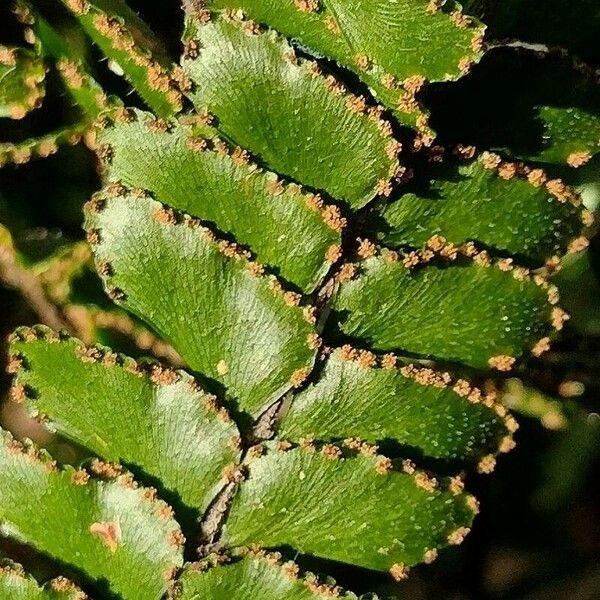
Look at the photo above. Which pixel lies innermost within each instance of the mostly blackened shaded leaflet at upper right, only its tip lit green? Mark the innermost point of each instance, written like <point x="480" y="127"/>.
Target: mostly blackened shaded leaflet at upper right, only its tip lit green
<point x="545" y="108"/>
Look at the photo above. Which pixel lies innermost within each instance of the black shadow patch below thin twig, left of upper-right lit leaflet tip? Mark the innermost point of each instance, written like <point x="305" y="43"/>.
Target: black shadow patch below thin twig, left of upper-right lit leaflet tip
<point x="497" y="105"/>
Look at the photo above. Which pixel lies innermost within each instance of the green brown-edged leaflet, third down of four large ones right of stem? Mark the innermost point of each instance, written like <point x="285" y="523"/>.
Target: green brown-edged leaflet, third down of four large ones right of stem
<point x="408" y="406"/>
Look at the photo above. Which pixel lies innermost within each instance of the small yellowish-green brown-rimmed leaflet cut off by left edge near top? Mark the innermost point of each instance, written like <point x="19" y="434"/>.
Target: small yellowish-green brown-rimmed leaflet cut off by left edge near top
<point x="21" y="81"/>
